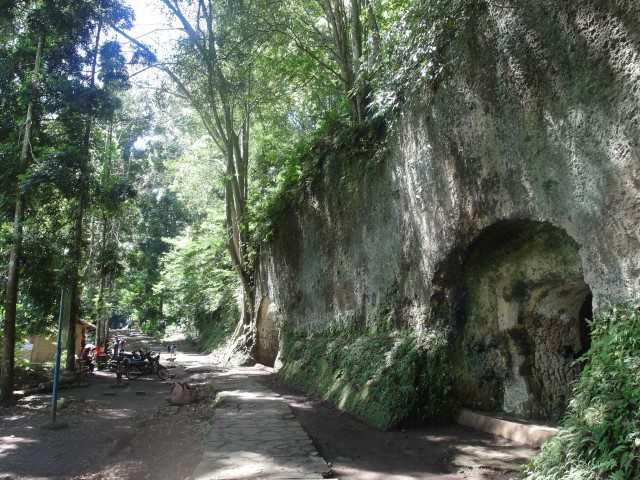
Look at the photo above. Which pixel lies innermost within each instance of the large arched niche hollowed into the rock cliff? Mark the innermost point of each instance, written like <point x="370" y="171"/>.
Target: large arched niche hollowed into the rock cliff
<point x="523" y="312"/>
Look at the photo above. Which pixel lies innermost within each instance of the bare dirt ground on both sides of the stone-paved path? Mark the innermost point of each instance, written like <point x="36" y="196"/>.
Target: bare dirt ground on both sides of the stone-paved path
<point x="131" y="433"/>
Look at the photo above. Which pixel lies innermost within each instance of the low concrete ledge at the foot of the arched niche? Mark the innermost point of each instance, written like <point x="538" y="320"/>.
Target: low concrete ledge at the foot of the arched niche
<point x="518" y="431"/>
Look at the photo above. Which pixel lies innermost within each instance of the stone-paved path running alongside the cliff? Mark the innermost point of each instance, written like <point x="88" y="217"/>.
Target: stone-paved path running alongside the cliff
<point x="255" y="433"/>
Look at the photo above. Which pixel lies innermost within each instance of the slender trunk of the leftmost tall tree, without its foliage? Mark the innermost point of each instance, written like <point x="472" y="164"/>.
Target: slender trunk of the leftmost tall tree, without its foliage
<point x="9" y="340"/>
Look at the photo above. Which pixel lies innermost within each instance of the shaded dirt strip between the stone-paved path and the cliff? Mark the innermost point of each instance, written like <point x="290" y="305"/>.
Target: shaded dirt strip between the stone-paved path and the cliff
<point x="357" y="451"/>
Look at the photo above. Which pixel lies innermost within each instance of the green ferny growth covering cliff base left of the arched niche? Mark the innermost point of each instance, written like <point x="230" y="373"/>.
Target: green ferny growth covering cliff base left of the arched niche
<point x="381" y="378"/>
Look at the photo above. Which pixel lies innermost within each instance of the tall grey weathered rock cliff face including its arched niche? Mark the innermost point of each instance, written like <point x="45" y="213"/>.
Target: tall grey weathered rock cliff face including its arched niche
<point x="509" y="202"/>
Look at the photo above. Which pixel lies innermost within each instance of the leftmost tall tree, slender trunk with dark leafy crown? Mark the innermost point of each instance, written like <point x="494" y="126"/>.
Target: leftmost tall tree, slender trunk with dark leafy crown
<point x="60" y="29"/>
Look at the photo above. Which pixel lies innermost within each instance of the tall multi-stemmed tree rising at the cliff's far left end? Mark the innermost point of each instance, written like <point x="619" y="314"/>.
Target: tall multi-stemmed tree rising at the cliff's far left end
<point x="216" y="73"/>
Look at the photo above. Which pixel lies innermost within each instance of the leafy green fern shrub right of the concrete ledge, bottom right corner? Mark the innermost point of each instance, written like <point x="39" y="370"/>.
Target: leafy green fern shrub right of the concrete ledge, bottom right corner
<point x="599" y="437"/>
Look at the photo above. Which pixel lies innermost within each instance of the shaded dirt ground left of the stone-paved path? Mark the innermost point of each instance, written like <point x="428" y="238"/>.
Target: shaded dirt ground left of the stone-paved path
<point x="113" y="433"/>
